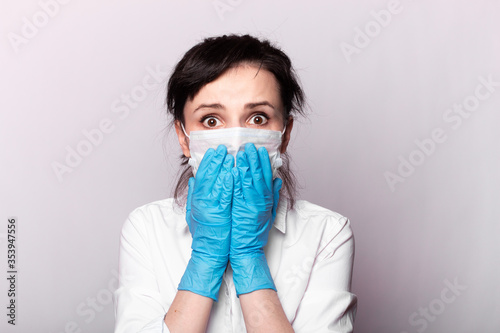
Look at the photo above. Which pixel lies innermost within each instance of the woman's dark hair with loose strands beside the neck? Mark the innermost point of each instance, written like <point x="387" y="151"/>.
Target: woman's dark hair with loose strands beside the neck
<point x="208" y="60"/>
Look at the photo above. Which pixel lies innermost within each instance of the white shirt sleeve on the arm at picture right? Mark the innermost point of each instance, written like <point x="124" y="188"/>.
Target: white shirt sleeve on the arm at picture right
<point x="327" y="304"/>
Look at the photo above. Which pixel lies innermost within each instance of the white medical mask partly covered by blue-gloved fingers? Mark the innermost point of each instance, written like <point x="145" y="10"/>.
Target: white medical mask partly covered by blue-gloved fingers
<point x="234" y="138"/>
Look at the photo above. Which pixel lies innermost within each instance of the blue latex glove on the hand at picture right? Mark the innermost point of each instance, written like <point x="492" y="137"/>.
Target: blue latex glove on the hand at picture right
<point x="255" y="199"/>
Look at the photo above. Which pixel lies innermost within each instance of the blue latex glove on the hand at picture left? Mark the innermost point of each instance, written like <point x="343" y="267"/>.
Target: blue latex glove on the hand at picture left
<point x="208" y="215"/>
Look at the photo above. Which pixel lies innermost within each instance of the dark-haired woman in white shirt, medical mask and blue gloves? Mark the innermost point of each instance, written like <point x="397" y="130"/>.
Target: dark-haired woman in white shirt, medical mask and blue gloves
<point x="270" y="263"/>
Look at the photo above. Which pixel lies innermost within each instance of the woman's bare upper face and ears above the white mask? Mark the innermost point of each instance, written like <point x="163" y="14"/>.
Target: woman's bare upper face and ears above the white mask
<point x="243" y="96"/>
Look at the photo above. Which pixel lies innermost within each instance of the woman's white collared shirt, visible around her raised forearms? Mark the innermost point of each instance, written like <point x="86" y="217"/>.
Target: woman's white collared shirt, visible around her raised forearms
<point x="310" y="254"/>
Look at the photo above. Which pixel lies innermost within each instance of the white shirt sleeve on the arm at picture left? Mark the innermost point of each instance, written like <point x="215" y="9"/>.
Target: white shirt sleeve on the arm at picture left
<point x="139" y="307"/>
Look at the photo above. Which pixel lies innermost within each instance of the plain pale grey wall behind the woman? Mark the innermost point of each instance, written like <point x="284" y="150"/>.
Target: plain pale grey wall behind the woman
<point x="435" y="226"/>
